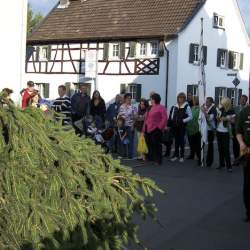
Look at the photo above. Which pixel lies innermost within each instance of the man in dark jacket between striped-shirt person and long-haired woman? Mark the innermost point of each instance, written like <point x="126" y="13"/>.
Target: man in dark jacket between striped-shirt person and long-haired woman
<point x="80" y="104"/>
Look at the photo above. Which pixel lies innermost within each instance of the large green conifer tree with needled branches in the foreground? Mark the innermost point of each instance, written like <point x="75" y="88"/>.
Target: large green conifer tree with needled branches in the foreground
<point x="59" y="191"/>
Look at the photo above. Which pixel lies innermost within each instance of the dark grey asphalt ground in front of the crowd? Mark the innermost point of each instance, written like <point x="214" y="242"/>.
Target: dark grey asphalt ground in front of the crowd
<point x="202" y="209"/>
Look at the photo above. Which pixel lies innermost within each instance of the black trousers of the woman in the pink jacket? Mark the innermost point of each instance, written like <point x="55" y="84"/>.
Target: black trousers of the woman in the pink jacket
<point x="153" y="141"/>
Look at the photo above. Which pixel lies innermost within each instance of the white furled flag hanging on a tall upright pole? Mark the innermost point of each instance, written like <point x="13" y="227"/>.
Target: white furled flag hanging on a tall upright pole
<point x="202" y="95"/>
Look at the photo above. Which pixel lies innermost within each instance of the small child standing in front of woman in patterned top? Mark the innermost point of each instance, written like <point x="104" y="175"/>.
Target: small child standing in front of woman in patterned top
<point x="122" y="134"/>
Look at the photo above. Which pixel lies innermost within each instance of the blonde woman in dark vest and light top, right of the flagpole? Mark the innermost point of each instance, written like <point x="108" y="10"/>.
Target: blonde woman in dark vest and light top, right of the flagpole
<point x="226" y="116"/>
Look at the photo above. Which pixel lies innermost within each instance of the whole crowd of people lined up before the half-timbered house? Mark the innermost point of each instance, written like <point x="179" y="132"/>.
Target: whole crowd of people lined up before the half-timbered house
<point x="126" y="124"/>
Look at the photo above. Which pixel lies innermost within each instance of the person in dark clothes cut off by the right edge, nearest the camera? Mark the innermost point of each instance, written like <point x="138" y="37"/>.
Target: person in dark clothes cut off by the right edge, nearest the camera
<point x="243" y="136"/>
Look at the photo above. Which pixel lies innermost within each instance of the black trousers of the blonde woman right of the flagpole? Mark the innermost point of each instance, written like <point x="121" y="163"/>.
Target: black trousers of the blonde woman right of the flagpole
<point x="224" y="149"/>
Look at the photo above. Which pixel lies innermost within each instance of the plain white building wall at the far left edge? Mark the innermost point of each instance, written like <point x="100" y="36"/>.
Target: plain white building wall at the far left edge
<point x="13" y="15"/>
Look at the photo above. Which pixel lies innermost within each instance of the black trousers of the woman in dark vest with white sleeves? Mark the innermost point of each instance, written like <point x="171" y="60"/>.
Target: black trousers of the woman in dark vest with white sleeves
<point x="179" y="138"/>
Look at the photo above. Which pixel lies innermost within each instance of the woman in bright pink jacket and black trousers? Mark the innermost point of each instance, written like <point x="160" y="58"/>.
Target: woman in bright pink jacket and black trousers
<point x="154" y="124"/>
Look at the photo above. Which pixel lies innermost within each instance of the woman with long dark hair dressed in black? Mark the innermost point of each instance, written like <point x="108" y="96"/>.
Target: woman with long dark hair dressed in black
<point x="98" y="109"/>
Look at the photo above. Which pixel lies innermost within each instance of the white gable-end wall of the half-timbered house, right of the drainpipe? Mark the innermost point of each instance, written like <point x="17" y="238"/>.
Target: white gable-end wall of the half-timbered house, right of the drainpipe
<point x="233" y="38"/>
